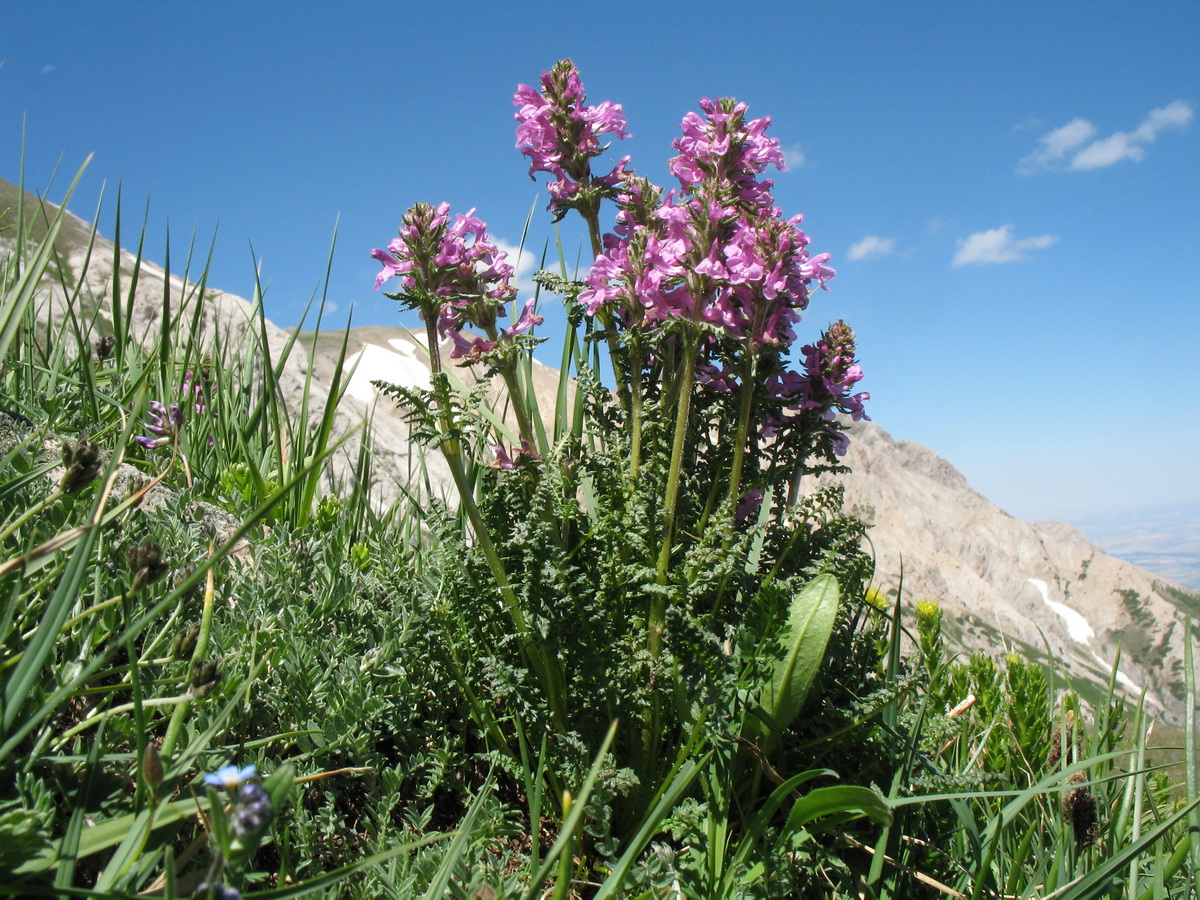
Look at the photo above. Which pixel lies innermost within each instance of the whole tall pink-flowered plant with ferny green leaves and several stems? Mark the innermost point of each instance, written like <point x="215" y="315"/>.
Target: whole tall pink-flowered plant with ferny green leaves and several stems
<point x="647" y="553"/>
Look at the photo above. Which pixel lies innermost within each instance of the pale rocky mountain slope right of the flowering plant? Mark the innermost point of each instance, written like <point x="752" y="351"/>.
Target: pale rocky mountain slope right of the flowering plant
<point x="1042" y="589"/>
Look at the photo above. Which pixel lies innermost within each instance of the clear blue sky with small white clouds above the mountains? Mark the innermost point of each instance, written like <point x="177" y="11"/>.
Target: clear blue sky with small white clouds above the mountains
<point x="1010" y="191"/>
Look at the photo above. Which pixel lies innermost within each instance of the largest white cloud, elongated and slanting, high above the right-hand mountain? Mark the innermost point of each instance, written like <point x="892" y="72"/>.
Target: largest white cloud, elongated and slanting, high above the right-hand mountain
<point x="1075" y="146"/>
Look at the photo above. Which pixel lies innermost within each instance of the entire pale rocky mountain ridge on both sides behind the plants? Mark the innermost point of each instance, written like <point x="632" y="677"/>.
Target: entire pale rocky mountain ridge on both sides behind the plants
<point x="1040" y="589"/>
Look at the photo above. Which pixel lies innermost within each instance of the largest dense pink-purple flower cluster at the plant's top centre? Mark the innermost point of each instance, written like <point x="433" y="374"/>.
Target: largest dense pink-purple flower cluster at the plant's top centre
<point x="716" y="251"/>
